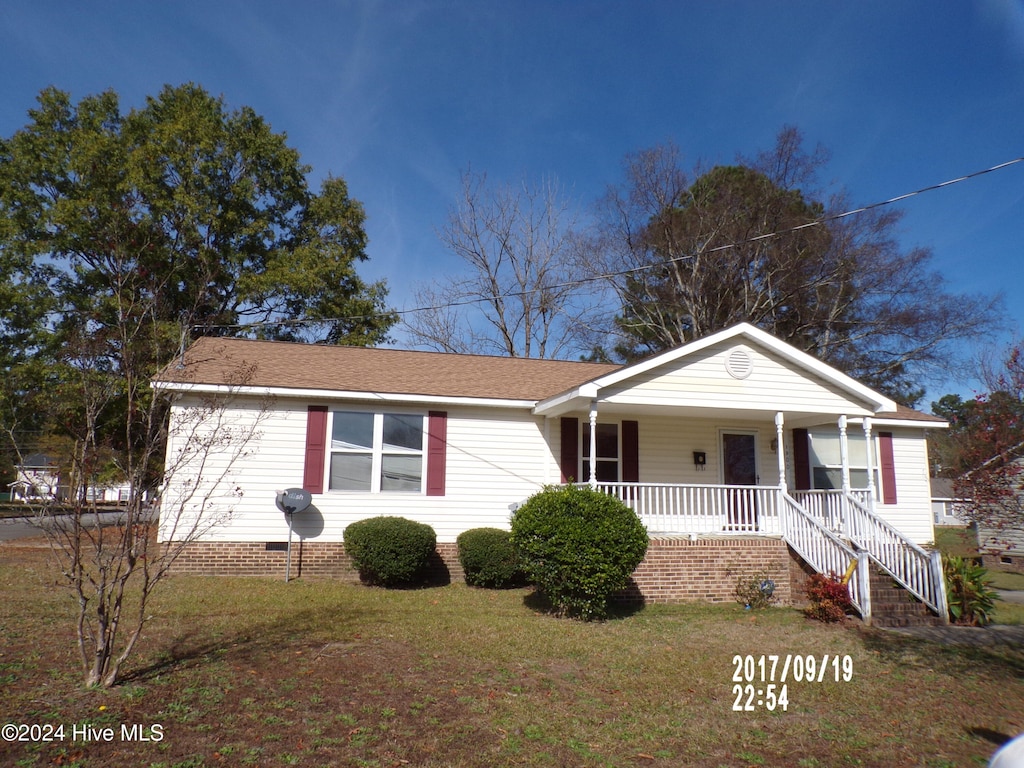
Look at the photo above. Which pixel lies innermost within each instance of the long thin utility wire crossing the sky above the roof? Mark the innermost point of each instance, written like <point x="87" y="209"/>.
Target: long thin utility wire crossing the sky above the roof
<point x="632" y="271"/>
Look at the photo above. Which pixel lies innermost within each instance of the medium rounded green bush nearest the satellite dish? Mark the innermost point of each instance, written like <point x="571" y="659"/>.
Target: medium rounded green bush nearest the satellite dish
<point x="391" y="551"/>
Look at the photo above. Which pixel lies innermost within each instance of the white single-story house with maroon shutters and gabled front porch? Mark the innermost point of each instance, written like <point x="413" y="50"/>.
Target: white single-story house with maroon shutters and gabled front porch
<point x="738" y="451"/>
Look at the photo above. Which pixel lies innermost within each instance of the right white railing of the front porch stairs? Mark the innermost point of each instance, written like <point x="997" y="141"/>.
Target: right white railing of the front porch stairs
<point x="918" y="571"/>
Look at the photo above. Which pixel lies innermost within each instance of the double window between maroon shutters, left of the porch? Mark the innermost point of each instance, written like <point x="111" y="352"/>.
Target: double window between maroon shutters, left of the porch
<point x="376" y="453"/>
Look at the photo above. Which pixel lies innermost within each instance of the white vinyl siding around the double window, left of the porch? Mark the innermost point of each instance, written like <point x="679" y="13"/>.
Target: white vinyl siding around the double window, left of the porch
<point x="496" y="457"/>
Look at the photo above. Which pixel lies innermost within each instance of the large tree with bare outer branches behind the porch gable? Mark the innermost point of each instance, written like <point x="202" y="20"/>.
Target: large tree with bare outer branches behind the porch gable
<point x="755" y="242"/>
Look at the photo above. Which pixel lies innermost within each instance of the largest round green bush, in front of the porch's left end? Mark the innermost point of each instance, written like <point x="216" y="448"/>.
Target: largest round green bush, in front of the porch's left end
<point x="579" y="547"/>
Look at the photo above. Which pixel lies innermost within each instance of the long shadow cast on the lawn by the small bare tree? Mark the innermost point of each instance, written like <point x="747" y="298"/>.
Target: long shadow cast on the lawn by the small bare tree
<point x="201" y="646"/>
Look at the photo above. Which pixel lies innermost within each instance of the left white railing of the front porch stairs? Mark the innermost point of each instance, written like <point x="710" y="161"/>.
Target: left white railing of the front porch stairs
<point x="826" y="552"/>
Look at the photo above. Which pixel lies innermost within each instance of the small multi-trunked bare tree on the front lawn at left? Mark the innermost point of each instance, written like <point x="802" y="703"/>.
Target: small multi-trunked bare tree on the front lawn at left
<point x="108" y="556"/>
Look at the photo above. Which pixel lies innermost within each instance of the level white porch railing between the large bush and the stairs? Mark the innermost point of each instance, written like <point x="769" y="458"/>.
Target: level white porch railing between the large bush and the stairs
<point x="667" y="508"/>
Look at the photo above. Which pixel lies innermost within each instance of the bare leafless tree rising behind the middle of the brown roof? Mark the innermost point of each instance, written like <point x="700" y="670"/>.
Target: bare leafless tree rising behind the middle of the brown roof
<point x="520" y="294"/>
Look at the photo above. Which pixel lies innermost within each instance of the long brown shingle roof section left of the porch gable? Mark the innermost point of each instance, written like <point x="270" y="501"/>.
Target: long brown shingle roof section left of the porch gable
<point x="273" y="364"/>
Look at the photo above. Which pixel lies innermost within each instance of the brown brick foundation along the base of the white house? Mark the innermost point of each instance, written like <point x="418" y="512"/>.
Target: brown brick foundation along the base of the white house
<point x="675" y="570"/>
